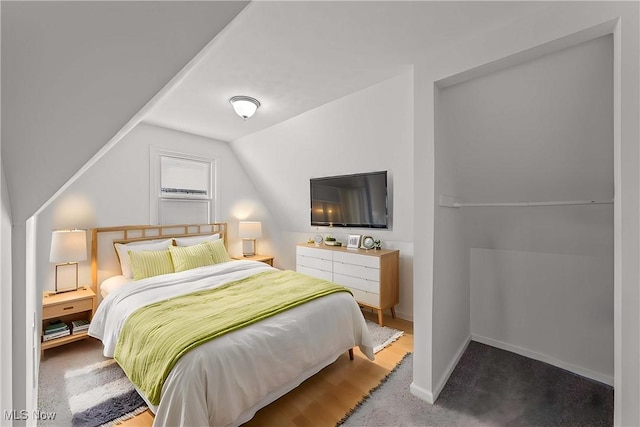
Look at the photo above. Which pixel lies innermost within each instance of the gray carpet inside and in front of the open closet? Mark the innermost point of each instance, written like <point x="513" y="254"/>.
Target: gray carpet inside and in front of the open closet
<point x="490" y="387"/>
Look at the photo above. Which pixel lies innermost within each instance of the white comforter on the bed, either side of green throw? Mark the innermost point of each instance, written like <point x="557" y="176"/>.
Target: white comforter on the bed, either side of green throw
<point x="225" y="381"/>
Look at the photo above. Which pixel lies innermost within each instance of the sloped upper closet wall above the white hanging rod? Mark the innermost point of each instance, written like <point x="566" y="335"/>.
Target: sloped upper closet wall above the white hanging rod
<point x="541" y="130"/>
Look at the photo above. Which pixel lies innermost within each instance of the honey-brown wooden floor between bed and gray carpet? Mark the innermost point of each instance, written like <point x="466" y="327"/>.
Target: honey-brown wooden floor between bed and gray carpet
<point x="326" y="397"/>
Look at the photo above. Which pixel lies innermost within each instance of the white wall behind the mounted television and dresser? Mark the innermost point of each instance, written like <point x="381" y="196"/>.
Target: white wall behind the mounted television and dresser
<point x="367" y="131"/>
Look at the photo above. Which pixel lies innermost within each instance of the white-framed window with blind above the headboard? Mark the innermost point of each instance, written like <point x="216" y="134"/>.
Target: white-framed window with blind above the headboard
<point x="183" y="188"/>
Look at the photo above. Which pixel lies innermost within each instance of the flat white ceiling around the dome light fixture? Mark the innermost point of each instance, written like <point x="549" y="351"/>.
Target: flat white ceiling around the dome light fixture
<point x="296" y="56"/>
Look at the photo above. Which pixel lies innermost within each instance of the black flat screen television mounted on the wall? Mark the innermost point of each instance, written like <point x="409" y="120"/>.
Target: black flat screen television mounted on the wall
<point x="358" y="200"/>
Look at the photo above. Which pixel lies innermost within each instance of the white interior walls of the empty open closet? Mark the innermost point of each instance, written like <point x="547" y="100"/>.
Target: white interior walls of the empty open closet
<point x="524" y="246"/>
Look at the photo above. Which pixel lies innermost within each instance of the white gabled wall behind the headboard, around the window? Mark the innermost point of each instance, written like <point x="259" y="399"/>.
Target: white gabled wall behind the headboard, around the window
<point x="115" y="191"/>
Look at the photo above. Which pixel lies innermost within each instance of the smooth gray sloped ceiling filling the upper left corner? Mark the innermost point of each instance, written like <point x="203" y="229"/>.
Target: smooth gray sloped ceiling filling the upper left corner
<point x="73" y="73"/>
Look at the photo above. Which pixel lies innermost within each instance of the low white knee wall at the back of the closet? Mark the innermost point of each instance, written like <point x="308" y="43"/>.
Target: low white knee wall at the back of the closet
<point x="545" y="306"/>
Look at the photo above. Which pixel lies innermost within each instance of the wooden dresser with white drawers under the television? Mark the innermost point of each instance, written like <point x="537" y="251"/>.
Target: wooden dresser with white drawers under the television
<point x="372" y="275"/>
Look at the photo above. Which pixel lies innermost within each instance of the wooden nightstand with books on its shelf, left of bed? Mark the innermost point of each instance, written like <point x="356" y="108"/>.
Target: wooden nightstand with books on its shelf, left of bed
<point x="67" y="307"/>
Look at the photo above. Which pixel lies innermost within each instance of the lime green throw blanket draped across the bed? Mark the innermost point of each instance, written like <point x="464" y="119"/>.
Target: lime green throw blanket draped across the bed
<point x="154" y="337"/>
